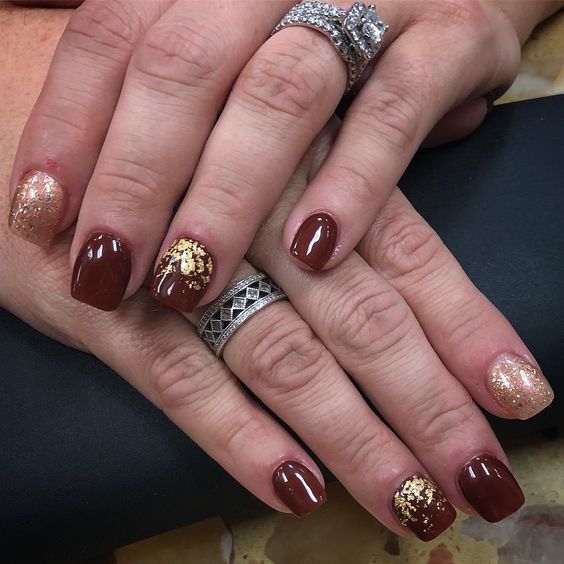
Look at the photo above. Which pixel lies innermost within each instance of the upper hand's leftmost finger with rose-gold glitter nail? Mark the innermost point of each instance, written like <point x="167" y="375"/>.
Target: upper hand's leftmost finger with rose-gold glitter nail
<point x="64" y="134"/>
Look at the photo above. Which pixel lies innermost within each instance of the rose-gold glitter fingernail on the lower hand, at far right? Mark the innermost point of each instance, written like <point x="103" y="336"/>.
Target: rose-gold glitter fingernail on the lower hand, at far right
<point x="518" y="386"/>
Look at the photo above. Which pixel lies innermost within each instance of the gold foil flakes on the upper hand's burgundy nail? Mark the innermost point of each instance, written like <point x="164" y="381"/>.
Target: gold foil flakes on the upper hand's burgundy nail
<point x="191" y="259"/>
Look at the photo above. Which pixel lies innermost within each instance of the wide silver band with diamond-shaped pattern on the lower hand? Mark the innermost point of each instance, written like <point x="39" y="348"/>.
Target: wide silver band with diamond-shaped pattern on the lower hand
<point x="240" y="302"/>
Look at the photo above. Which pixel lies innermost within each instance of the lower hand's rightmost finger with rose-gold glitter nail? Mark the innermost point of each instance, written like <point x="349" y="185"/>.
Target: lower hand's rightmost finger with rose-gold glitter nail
<point x="473" y="339"/>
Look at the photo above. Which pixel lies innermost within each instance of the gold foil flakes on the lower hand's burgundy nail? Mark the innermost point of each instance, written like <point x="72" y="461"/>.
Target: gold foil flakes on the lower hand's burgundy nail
<point x="417" y="500"/>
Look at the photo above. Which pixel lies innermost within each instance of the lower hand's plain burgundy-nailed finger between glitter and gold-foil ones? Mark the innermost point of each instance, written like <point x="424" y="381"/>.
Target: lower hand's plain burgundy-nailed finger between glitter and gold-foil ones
<point x="375" y="337"/>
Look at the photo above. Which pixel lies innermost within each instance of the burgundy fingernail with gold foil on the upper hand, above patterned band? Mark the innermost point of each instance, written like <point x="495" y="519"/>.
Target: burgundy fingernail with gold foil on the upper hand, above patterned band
<point x="183" y="275"/>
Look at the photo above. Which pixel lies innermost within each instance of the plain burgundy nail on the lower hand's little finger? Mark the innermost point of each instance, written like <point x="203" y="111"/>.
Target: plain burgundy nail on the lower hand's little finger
<point x="298" y="488"/>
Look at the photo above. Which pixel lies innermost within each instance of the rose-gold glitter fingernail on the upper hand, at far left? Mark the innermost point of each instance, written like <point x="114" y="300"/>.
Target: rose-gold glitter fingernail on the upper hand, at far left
<point x="37" y="208"/>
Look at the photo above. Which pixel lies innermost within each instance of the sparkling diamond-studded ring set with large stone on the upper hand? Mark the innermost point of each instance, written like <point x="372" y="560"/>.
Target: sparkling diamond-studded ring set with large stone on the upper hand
<point x="356" y="33"/>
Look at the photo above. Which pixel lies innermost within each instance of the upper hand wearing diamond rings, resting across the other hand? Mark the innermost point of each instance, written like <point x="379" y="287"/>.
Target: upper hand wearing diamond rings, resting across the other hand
<point x="142" y="97"/>
